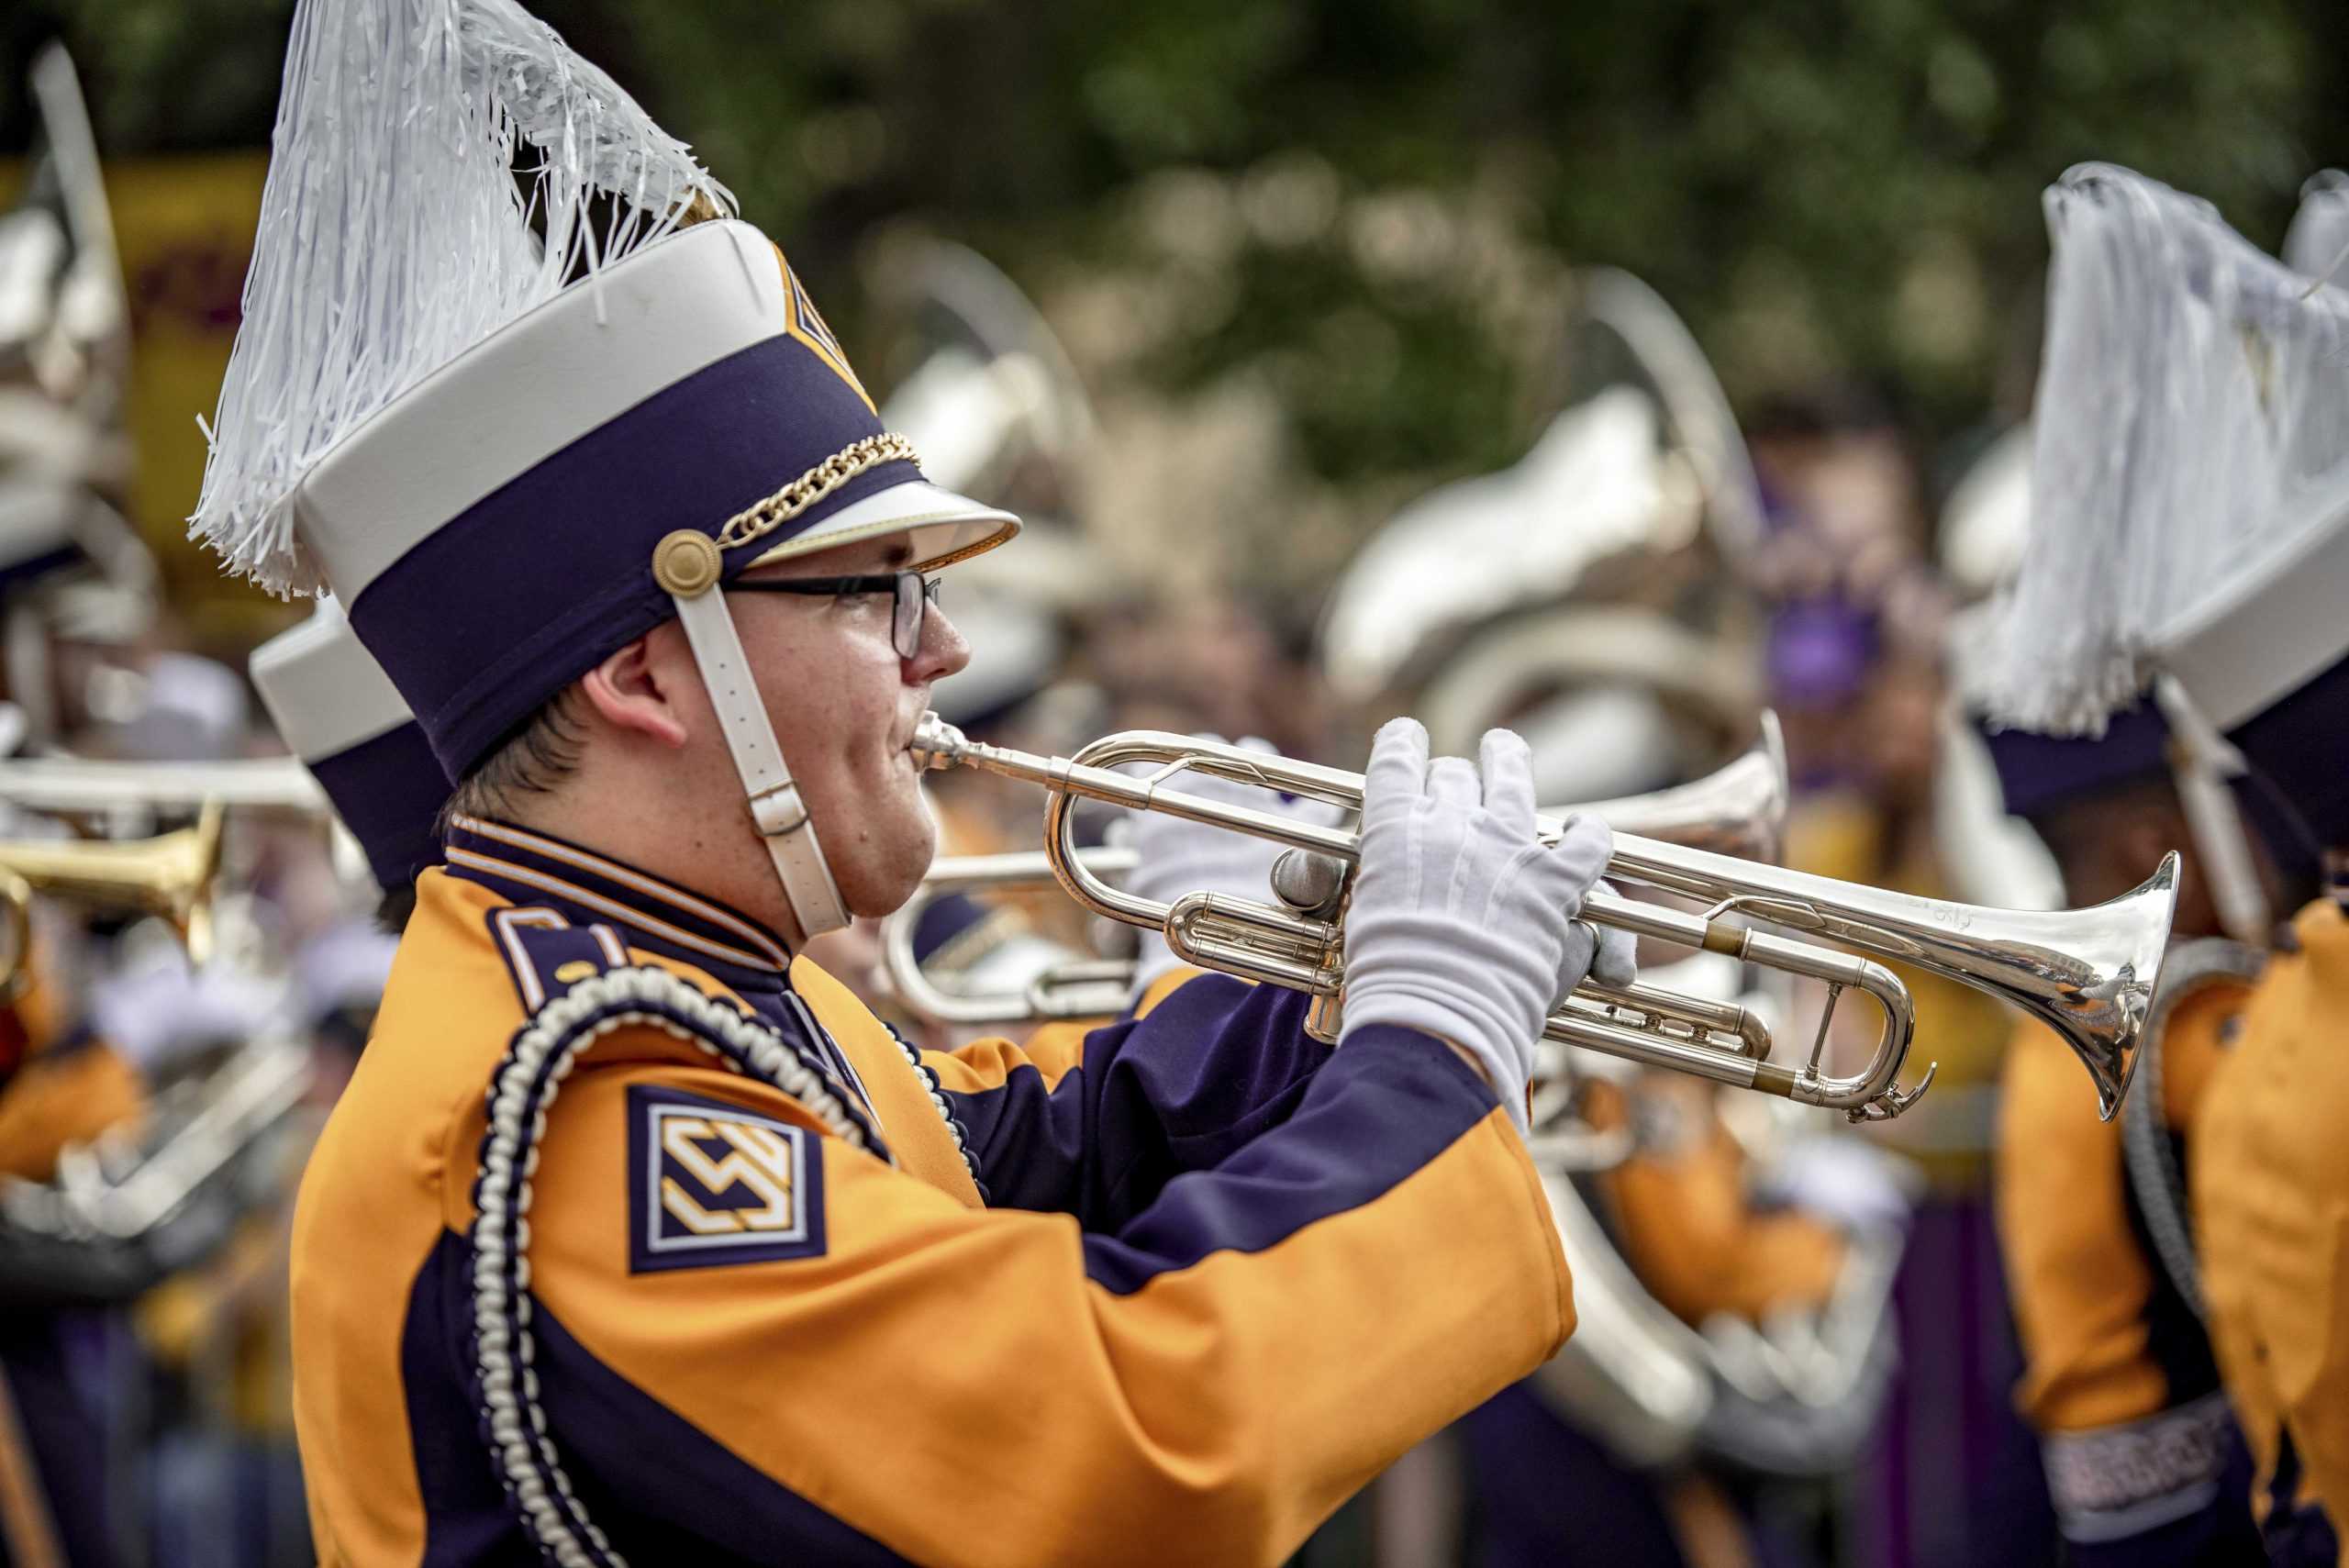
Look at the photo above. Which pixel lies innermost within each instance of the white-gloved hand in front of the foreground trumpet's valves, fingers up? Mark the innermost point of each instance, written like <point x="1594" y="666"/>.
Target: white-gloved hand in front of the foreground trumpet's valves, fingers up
<point x="1462" y="924"/>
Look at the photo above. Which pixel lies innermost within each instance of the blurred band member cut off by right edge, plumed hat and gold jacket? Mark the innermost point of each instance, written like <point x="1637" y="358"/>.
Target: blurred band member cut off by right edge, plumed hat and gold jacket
<point x="2200" y="541"/>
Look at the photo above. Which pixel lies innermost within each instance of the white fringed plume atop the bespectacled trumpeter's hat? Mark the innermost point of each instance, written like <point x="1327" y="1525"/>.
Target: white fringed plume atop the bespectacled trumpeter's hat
<point x="438" y="170"/>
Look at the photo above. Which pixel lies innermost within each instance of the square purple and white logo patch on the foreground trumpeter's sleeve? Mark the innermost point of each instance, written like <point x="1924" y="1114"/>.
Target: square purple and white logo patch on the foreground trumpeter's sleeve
<point x="718" y="1184"/>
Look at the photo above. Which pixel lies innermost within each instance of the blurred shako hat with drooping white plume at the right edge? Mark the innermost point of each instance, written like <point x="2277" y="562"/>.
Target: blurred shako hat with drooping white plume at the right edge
<point x="2190" y="496"/>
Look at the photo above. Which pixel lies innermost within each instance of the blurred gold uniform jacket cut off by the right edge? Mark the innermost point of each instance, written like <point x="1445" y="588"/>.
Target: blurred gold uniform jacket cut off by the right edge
<point x="2273" y="1215"/>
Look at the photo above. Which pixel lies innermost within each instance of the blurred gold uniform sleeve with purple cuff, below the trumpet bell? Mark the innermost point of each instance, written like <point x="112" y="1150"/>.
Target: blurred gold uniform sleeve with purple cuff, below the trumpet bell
<point x="2143" y="1459"/>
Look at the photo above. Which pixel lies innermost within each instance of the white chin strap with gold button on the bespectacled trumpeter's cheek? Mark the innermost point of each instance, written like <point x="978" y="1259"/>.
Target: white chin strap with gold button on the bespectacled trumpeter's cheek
<point x="774" y="799"/>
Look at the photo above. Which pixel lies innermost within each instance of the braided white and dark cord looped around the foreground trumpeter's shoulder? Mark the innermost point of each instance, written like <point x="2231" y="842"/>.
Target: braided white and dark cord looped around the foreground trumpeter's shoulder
<point x="525" y="1086"/>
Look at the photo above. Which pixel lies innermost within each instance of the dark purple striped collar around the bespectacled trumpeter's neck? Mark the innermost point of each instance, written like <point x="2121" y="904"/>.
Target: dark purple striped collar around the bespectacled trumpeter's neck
<point x="591" y="888"/>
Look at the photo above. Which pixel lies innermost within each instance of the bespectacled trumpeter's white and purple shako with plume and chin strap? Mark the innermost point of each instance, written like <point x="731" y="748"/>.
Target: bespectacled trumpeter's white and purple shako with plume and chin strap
<point x="516" y="428"/>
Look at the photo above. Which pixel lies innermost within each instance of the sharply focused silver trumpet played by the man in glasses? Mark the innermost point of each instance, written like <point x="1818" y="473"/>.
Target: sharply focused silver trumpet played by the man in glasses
<point x="2087" y="973"/>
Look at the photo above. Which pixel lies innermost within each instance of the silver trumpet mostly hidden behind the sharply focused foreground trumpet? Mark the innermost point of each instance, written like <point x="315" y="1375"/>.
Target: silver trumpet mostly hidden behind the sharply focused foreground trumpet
<point x="1737" y="809"/>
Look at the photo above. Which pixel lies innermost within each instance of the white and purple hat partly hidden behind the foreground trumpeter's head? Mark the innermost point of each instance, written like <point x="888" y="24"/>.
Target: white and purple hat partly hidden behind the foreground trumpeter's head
<point x="351" y="729"/>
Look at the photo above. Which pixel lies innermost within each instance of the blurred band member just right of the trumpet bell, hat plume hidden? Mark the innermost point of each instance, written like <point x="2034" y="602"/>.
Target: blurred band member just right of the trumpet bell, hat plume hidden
<point x="2143" y="1457"/>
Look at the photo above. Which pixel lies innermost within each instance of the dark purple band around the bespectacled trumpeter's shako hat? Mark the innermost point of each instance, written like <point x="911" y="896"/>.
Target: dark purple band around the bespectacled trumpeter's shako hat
<point x="523" y="593"/>
